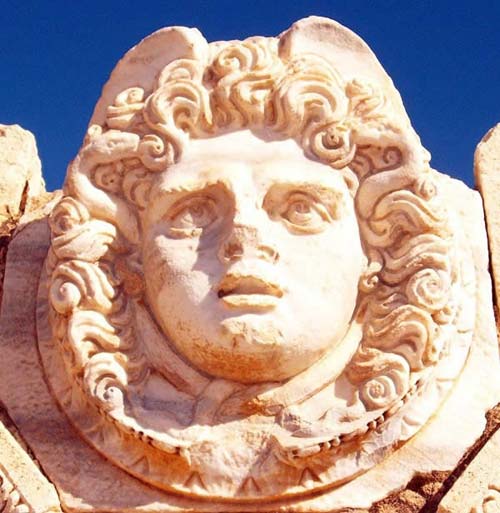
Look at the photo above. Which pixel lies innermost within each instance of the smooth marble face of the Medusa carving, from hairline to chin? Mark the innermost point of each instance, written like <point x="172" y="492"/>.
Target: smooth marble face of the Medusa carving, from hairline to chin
<point x="252" y="257"/>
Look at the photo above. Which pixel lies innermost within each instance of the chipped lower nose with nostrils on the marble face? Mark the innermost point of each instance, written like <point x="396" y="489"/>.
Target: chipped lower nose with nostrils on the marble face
<point x="246" y="242"/>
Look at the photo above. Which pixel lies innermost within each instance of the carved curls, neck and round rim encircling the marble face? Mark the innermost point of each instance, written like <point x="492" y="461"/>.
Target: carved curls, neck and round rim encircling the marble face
<point x="404" y="337"/>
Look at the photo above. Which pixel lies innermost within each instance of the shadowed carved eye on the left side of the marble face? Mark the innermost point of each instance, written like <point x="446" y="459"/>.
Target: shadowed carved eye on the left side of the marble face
<point x="191" y="216"/>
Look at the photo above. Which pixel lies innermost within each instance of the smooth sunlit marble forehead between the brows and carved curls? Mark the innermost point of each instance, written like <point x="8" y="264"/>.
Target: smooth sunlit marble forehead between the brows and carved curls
<point x="242" y="155"/>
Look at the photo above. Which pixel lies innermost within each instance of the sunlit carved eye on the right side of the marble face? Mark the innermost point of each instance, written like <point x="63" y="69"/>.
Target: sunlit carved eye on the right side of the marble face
<point x="305" y="214"/>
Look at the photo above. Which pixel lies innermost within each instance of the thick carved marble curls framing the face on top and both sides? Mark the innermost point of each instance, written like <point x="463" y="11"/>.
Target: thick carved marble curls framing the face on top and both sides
<point x="405" y="296"/>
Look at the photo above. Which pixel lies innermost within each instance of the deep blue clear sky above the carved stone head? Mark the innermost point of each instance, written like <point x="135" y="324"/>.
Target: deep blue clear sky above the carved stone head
<point x="444" y="57"/>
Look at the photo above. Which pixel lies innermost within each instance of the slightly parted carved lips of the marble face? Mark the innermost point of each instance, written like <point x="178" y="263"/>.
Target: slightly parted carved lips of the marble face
<point x="238" y="291"/>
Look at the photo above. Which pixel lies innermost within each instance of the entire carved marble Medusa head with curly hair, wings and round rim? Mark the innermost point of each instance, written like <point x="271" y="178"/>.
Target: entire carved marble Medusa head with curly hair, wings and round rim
<point x="253" y="289"/>
